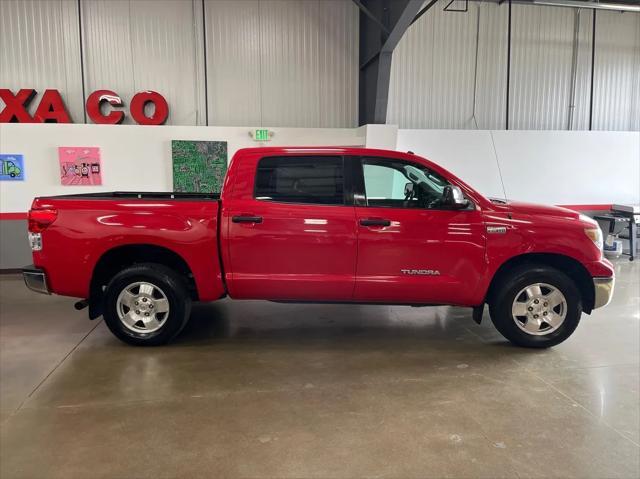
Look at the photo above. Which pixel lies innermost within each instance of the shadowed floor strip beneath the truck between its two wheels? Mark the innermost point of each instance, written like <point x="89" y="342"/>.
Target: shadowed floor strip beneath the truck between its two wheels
<point x="342" y="326"/>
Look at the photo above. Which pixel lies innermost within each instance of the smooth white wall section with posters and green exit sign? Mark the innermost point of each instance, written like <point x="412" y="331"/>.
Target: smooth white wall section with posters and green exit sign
<point x="136" y="158"/>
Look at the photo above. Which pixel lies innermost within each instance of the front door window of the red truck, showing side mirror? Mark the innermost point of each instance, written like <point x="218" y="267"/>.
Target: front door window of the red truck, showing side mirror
<point x="400" y="184"/>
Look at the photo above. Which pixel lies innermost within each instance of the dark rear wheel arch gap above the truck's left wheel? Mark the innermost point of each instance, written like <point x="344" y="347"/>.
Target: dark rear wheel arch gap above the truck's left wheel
<point x="116" y="259"/>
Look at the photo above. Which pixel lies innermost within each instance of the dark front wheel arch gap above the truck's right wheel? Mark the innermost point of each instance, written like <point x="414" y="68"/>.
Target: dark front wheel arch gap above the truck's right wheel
<point x="568" y="265"/>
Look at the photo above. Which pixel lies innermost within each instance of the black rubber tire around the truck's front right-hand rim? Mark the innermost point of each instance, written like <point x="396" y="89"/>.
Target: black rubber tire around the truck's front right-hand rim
<point x="505" y="292"/>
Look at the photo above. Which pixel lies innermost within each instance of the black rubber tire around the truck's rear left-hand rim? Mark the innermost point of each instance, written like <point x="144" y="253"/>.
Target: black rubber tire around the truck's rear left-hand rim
<point x="171" y="284"/>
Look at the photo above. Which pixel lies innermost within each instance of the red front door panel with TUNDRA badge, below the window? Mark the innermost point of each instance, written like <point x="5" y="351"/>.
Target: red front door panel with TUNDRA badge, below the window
<point x="449" y="242"/>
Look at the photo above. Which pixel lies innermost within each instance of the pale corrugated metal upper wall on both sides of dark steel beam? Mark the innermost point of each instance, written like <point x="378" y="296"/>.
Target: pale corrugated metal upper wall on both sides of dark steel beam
<point x="295" y="62"/>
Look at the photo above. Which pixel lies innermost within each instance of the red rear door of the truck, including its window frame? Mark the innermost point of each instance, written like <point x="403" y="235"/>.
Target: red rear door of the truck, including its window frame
<point x="300" y="251"/>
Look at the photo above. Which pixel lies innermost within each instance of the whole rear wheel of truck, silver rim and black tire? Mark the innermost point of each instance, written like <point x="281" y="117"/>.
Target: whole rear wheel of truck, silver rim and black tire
<point x="147" y="304"/>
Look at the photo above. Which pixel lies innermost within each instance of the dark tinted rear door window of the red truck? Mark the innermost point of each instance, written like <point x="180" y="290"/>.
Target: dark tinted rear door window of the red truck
<point x="304" y="179"/>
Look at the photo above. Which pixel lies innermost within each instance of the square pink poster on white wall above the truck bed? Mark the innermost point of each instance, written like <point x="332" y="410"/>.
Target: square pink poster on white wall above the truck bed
<point x="79" y="165"/>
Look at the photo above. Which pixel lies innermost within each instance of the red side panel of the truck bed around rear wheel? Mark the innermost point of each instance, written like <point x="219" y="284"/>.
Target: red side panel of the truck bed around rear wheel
<point x="88" y="228"/>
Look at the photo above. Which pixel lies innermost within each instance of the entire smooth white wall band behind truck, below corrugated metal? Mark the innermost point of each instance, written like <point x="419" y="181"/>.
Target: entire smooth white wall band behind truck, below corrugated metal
<point x="554" y="167"/>
